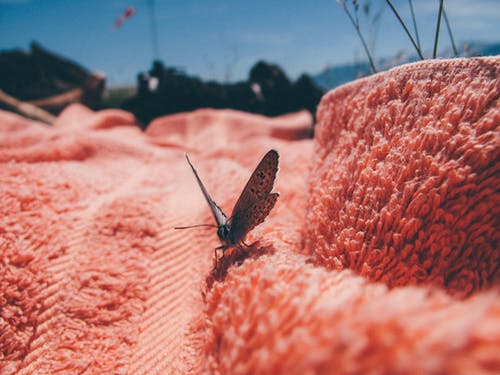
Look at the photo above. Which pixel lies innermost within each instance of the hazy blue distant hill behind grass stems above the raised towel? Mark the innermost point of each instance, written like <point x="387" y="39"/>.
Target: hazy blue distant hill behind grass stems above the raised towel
<point x="337" y="75"/>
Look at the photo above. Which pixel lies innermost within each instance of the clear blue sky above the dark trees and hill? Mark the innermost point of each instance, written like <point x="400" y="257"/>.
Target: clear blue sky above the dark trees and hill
<point x="216" y="39"/>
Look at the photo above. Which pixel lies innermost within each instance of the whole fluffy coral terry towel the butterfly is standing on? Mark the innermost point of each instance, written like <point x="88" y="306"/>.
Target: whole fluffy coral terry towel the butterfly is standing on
<point x="380" y="256"/>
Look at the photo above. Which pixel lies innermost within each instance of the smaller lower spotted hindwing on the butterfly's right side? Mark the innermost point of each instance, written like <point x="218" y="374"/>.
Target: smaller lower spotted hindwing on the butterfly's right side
<point x="247" y="220"/>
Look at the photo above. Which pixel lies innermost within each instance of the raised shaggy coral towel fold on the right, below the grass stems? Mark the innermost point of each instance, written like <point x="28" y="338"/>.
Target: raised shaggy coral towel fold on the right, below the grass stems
<point x="406" y="169"/>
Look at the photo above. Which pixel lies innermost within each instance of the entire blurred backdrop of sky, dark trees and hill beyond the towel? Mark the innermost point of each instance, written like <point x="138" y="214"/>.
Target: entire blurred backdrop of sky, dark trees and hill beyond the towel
<point x="154" y="57"/>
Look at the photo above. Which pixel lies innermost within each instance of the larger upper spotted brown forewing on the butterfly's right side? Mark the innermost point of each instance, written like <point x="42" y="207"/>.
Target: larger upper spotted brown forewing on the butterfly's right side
<point x="259" y="185"/>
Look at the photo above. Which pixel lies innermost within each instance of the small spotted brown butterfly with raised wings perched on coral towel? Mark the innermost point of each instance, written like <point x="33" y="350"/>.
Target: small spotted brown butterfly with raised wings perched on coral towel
<point x="252" y="207"/>
